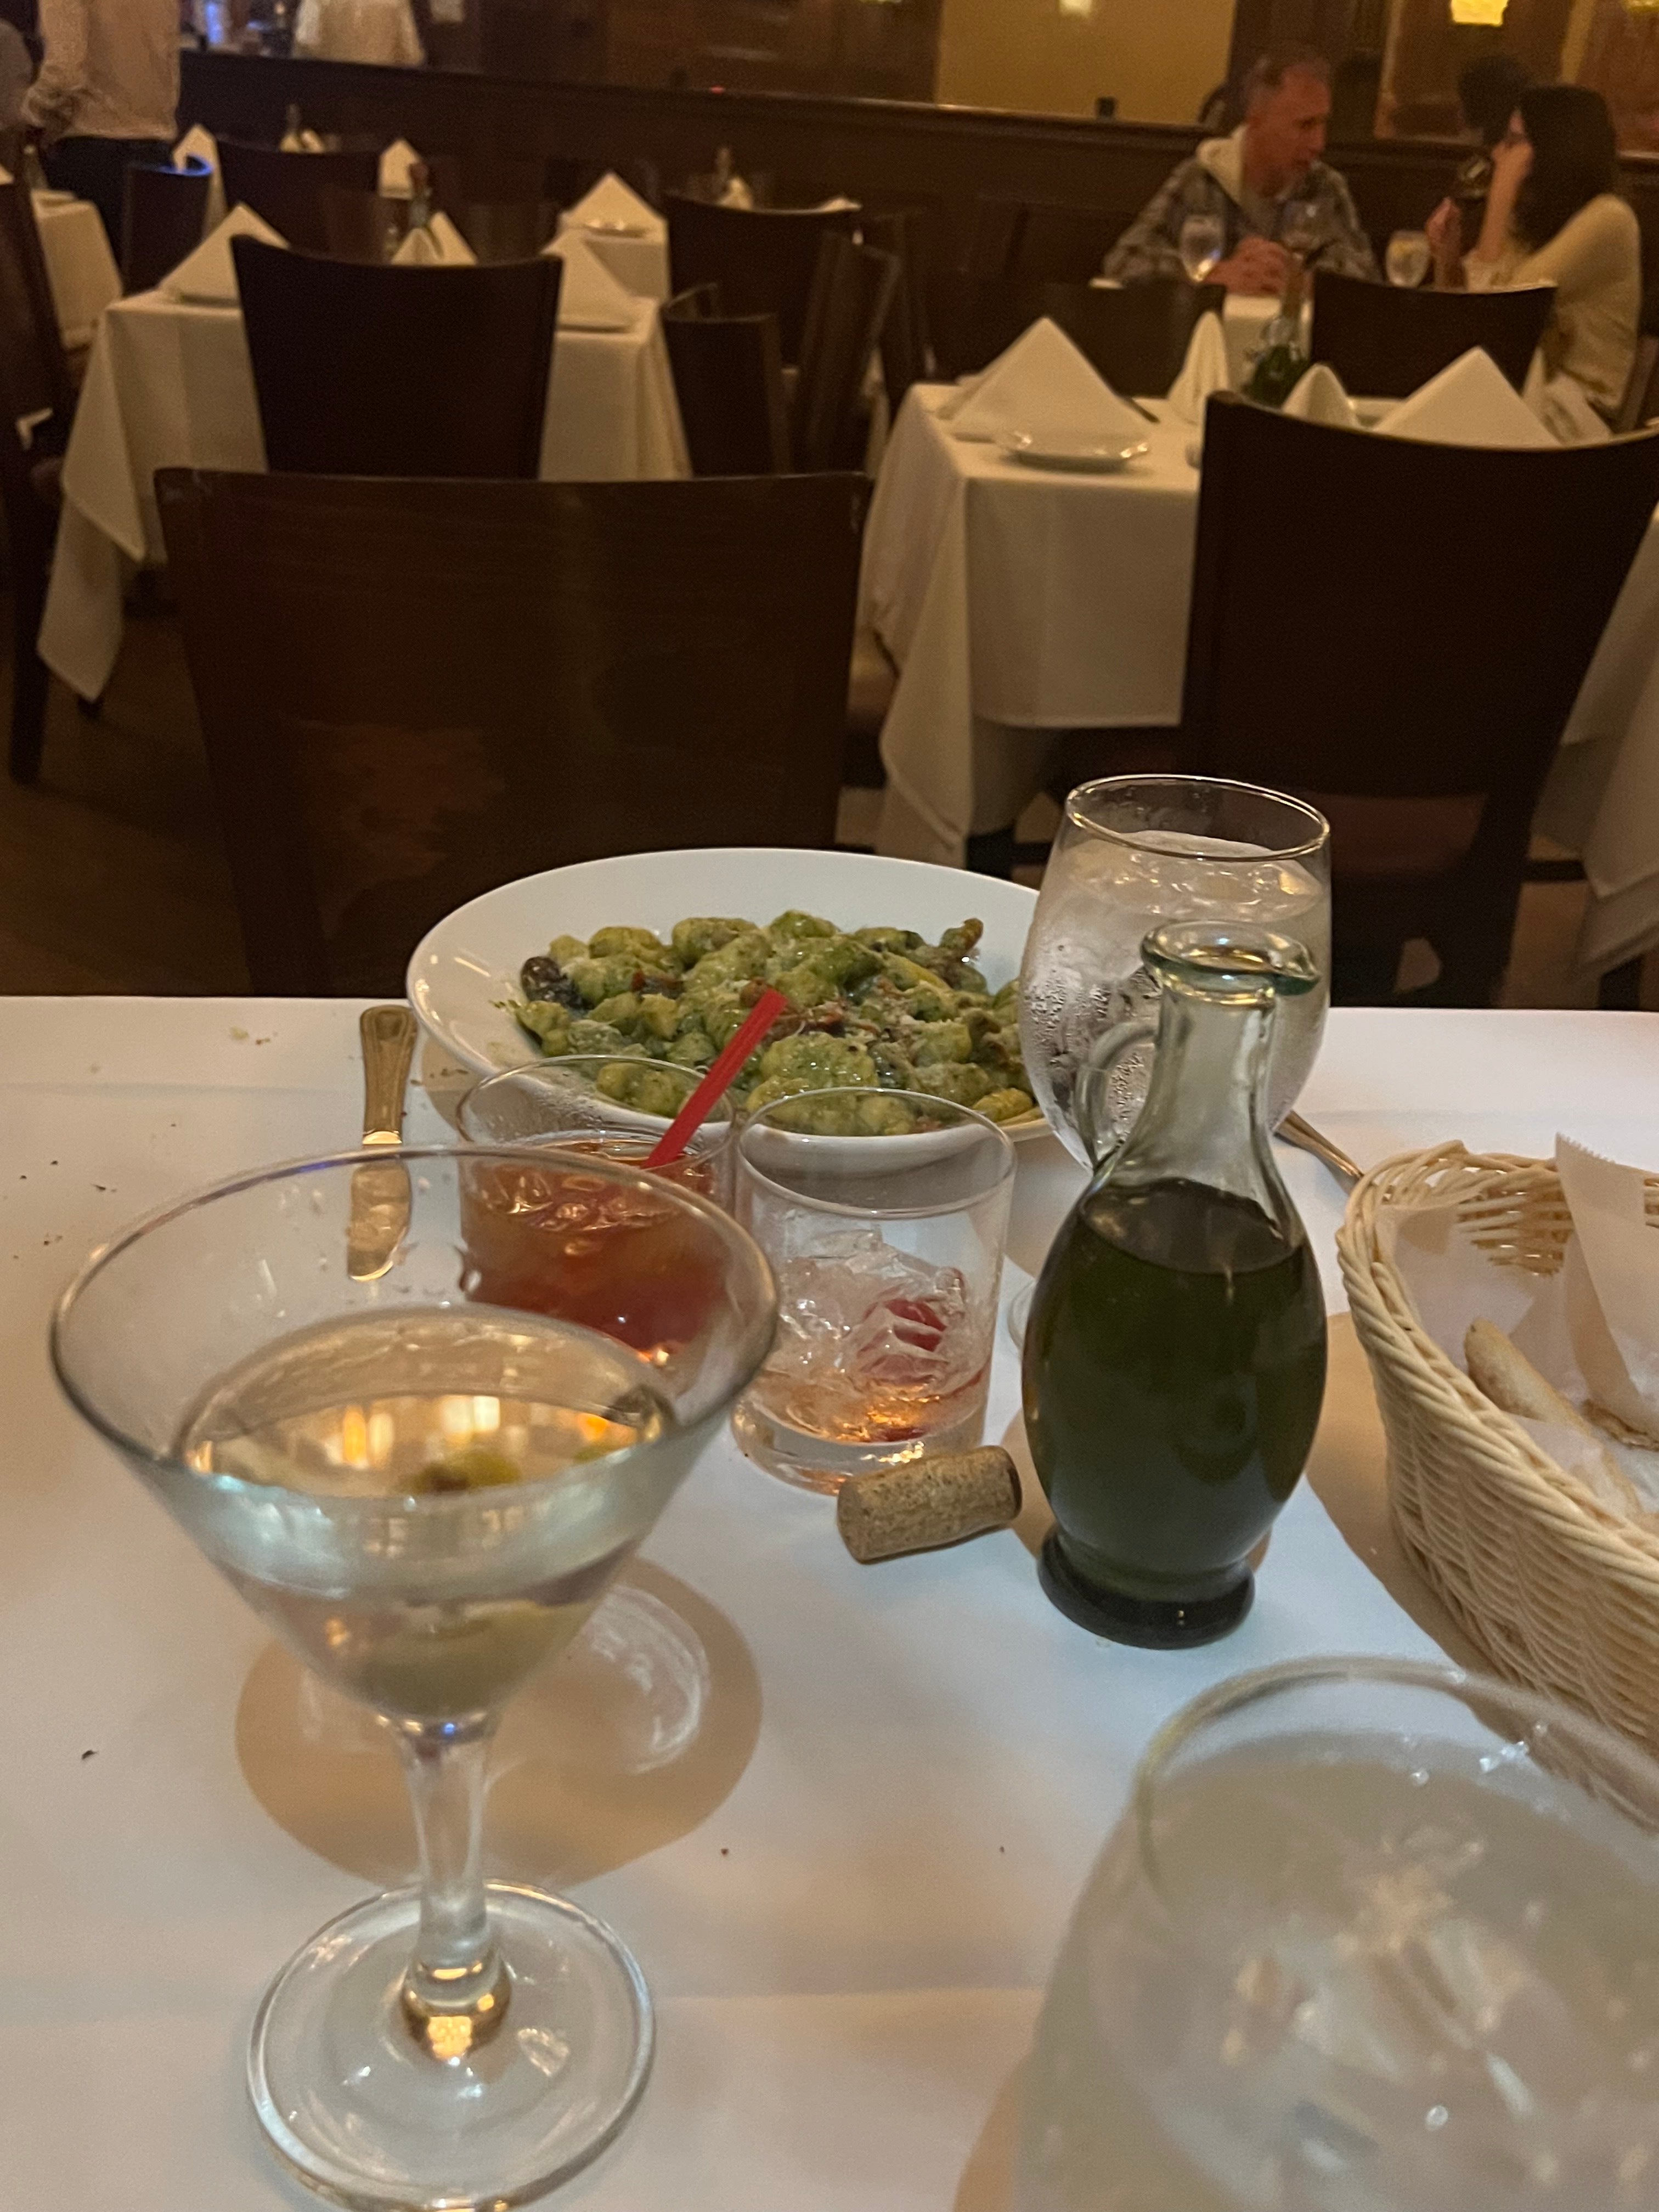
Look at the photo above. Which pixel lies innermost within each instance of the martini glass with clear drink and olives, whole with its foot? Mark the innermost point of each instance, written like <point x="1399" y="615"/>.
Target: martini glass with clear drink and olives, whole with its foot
<point x="426" y="1479"/>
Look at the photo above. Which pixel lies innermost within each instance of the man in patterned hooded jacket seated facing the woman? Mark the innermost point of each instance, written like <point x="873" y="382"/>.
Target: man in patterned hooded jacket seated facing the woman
<point x="1251" y="180"/>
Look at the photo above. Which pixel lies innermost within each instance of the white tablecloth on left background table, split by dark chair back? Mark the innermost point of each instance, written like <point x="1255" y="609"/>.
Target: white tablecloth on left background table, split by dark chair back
<point x="171" y="386"/>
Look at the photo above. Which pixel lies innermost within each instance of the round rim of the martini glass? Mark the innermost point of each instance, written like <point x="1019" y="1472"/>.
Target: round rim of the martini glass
<point x="340" y="1507"/>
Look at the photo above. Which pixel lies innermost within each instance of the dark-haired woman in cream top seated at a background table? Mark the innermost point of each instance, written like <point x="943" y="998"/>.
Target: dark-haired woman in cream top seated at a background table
<point x="1556" y="216"/>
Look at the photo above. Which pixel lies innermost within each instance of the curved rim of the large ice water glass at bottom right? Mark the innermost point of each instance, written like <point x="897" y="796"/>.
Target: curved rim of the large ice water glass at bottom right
<point x="1258" y="1687"/>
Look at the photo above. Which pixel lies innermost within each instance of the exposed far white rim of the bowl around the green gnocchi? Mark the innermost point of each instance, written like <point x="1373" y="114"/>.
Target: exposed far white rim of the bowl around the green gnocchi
<point x="472" y="959"/>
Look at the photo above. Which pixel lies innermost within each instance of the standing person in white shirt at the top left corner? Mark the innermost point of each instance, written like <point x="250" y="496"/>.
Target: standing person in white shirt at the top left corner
<point x="107" y="96"/>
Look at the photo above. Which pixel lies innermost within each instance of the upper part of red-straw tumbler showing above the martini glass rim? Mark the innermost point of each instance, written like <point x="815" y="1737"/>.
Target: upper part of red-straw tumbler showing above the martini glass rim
<point x="614" y="1107"/>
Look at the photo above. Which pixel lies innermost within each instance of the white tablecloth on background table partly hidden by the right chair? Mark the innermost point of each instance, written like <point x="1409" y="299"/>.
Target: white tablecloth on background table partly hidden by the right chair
<point x="1021" y="601"/>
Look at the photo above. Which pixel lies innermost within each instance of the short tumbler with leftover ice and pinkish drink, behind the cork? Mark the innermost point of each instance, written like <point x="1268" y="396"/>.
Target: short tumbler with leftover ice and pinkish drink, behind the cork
<point x="888" y="1253"/>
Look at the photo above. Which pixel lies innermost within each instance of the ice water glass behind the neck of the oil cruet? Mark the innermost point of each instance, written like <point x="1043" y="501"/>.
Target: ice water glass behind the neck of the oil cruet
<point x="1136" y="853"/>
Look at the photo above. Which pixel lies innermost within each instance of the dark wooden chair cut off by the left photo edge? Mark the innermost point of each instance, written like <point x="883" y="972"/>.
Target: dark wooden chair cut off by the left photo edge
<point x="34" y="384"/>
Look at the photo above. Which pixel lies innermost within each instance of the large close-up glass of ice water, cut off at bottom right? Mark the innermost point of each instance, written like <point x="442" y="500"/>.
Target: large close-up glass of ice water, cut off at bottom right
<point x="1370" y="1939"/>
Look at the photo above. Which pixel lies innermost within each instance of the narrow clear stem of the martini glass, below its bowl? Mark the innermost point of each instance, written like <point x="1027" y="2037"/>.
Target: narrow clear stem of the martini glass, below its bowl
<point x="457" y="1987"/>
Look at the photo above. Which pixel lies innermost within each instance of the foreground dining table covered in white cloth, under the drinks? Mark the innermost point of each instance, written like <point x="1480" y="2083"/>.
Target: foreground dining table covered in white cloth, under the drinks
<point x="839" y="1813"/>
